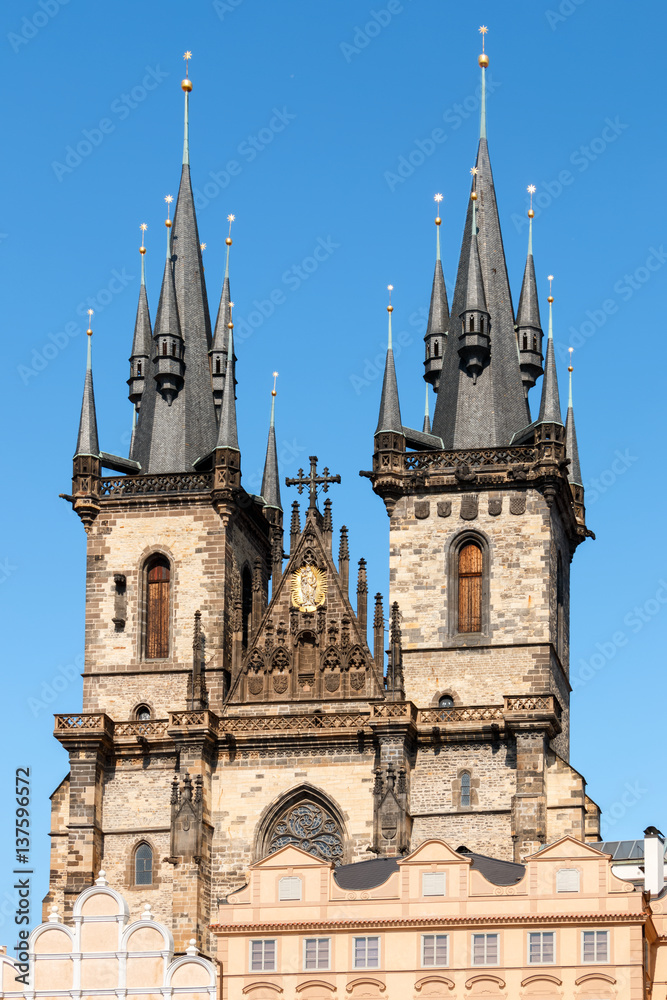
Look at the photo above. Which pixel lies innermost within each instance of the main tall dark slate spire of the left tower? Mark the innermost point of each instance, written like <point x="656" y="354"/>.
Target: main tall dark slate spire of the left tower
<point x="175" y="430"/>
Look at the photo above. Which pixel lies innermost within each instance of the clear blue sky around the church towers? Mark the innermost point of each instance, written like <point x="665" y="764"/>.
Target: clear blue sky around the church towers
<point x="314" y="123"/>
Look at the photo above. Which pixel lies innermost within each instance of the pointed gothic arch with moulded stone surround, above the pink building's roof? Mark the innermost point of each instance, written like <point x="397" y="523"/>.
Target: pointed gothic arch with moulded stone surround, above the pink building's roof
<point x="306" y="818"/>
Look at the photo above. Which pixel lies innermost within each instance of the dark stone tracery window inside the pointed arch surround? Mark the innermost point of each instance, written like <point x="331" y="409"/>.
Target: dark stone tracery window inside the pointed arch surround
<point x="308" y="824"/>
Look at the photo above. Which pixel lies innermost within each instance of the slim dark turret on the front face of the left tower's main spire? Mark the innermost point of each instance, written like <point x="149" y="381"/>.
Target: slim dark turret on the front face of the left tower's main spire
<point x="167" y="339"/>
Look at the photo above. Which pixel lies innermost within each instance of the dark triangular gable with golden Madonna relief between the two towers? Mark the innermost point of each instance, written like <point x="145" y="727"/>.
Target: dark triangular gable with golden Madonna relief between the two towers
<point x="309" y="645"/>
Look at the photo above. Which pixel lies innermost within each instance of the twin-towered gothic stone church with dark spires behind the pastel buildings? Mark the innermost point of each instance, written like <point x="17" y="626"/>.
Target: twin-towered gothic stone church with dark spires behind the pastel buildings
<point x="233" y="703"/>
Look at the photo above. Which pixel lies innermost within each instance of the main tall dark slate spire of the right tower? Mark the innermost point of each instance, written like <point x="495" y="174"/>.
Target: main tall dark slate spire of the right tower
<point x="489" y="411"/>
